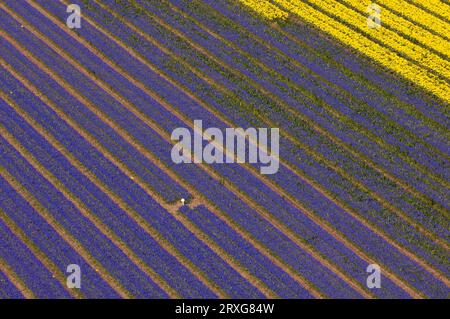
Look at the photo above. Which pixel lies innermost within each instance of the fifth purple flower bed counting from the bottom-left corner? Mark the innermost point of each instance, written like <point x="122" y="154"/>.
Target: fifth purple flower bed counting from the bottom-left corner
<point x="99" y="203"/>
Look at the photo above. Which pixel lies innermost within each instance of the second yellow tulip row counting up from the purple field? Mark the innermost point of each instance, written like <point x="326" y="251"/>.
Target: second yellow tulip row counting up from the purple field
<point x="359" y="22"/>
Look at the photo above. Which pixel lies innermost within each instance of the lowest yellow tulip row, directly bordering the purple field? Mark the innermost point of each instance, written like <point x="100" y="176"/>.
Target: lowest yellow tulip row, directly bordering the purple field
<point x="378" y="53"/>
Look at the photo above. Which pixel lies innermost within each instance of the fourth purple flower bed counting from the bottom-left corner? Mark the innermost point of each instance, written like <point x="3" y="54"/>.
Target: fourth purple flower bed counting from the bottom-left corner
<point x="111" y="258"/>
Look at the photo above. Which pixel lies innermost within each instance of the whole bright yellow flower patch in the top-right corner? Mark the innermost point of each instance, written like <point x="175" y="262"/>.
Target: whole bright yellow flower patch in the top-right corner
<point x="385" y="56"/>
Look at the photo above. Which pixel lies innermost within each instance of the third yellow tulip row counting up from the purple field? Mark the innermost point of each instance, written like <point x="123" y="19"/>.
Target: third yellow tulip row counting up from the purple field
<point x="408" y="28"/>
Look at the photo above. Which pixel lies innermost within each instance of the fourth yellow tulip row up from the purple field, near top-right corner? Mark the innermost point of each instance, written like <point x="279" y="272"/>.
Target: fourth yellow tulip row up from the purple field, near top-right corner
<point x="414" y="13"/>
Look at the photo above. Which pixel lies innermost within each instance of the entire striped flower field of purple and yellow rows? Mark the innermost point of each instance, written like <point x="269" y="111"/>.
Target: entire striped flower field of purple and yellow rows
<point x="87" y="178"/>
